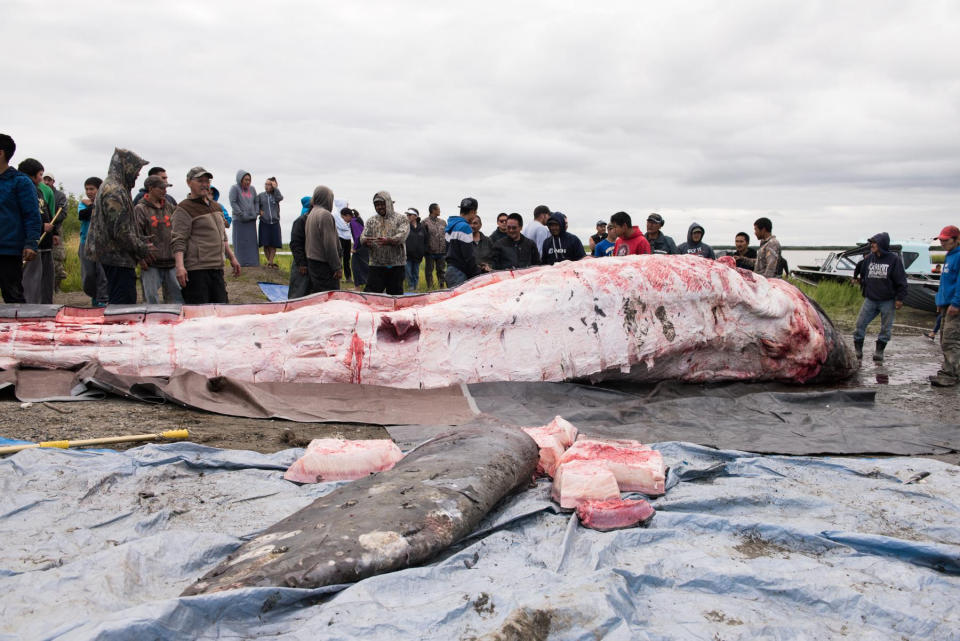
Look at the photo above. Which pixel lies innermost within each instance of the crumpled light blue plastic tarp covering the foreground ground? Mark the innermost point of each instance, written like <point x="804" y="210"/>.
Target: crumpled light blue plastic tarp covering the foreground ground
<point x="97" y="545"/>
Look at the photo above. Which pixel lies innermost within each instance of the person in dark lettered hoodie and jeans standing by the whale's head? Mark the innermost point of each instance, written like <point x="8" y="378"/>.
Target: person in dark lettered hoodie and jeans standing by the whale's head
<point x="884" y="284"/>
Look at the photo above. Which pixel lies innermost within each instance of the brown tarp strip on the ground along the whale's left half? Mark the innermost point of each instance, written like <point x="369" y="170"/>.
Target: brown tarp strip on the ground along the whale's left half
<point x="302" y="402"/>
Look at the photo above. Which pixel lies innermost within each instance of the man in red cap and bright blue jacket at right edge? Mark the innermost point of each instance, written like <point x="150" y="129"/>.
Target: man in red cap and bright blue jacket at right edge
<point x="948" y="304"/>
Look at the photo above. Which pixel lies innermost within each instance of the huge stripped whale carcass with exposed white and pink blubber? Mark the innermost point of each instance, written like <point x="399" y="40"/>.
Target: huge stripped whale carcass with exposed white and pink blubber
<point x="642" y="318"/>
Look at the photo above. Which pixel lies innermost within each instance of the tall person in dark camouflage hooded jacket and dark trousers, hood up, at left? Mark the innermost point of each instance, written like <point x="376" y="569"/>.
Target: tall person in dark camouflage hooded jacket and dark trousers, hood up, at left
<point x="114" y="239"/>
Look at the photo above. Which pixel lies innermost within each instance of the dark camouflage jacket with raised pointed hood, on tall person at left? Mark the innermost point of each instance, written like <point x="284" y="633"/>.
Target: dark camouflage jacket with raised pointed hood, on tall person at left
<point x="114" y="238"/>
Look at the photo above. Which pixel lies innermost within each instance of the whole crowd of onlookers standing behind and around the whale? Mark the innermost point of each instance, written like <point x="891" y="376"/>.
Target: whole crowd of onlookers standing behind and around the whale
<point x="181" y="248"/>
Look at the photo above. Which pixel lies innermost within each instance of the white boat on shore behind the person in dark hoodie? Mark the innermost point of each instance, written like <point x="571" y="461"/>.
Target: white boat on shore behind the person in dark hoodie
<point x="923" y="277"/>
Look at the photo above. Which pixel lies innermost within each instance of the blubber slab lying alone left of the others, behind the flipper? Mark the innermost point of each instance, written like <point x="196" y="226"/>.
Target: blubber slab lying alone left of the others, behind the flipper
<point x="337" y="459"/>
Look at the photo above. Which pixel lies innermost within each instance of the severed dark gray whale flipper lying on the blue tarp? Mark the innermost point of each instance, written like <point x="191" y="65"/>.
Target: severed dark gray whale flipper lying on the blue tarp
<point x="433" y="497"/>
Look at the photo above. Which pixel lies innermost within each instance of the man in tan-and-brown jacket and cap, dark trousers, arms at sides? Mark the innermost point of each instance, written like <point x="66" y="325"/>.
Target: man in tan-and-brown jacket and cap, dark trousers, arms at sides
<point x="200" y="242"/>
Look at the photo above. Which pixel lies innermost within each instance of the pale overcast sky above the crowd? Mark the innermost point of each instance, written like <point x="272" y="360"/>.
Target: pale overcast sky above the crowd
<point x="835" y="119"/>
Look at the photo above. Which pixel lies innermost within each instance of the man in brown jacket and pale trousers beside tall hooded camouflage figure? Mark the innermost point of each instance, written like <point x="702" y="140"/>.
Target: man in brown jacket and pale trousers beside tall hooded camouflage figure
<point x="154" y="216"/>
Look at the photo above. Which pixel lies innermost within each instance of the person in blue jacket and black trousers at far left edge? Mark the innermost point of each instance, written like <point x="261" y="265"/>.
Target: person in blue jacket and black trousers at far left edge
<point x="19" y="223"/>
